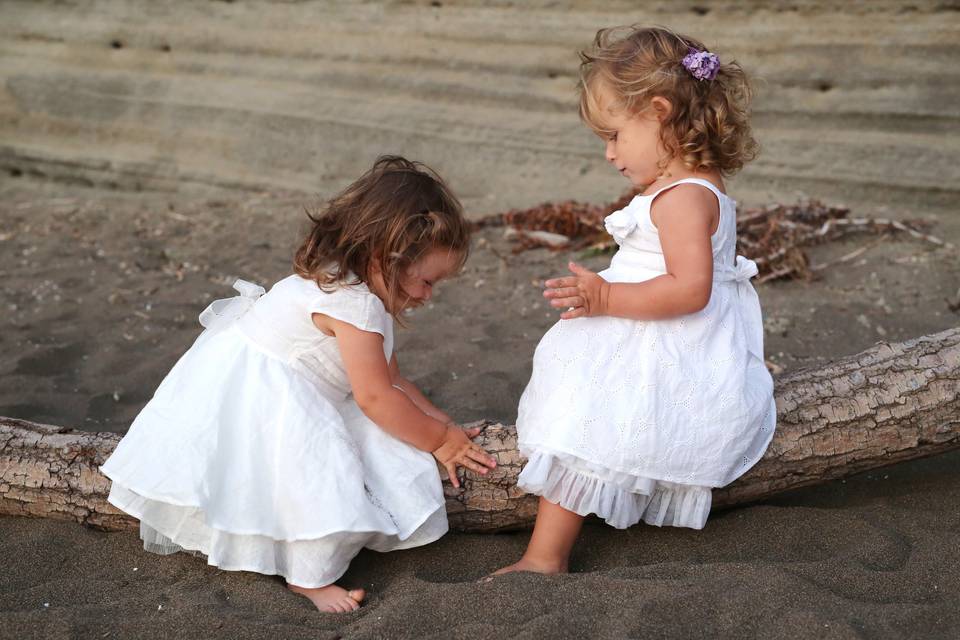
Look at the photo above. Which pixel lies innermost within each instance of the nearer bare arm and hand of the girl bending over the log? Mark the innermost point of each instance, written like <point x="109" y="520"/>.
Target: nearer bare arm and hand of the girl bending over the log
<point x="391" y="409"/>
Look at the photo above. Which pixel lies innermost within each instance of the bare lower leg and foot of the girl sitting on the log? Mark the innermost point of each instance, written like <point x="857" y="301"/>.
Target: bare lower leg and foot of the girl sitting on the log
<point x="552" y="541"/>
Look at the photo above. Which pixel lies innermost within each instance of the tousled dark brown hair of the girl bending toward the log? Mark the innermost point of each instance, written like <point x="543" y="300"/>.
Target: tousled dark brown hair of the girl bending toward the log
<point x="388" y="218"/>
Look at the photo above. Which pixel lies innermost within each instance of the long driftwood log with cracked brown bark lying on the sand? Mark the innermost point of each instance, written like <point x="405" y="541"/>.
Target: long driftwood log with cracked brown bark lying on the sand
<point x="890" y="403"/>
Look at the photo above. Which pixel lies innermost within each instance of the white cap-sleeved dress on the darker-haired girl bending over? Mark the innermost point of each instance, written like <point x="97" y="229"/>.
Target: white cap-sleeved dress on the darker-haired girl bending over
<point x="254" y="453"/>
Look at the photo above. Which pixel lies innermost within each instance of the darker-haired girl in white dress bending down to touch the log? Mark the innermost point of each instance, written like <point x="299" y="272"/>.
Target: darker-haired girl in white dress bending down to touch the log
<point x="285" y="440"/>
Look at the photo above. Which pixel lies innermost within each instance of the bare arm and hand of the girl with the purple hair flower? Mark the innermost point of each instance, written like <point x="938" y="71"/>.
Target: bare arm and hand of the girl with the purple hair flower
<point x="685" y="219"/>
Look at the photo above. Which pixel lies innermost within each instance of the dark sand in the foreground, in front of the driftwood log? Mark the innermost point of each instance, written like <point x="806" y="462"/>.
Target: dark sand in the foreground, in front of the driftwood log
<point x="871" y="557"/>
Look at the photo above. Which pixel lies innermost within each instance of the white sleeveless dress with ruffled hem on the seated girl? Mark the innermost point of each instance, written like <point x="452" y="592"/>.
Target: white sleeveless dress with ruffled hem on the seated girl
<point x="632" y="419"/>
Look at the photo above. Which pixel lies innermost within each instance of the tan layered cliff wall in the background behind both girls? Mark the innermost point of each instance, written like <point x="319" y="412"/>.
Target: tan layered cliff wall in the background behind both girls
<point x="858" y="102"/>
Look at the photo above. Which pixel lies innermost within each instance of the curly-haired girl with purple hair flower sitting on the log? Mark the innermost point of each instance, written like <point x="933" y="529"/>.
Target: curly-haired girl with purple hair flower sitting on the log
<point x="652" y="388"/>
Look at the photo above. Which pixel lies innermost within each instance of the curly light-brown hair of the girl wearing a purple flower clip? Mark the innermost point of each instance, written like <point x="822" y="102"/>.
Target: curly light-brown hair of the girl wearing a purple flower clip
<point x="708" y="127"/>
